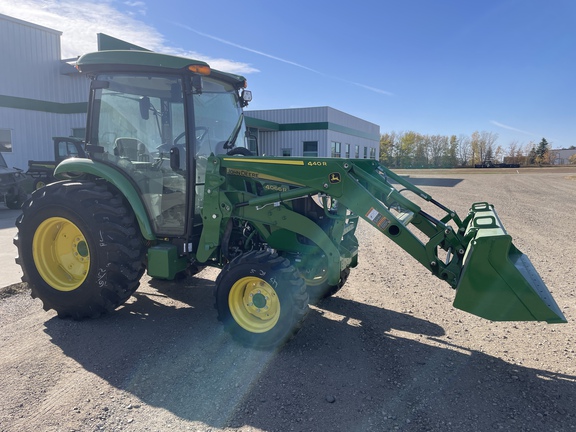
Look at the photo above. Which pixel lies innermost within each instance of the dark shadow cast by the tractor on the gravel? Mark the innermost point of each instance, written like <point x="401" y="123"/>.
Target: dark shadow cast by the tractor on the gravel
<point x="344" y="370"/>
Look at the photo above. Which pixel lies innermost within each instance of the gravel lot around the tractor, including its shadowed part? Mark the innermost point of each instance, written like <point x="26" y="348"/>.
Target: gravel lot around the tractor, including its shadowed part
<point x="388" y="352"/>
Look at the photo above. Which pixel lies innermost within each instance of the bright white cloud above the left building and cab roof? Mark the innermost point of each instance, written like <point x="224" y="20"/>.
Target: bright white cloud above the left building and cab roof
<point x="80" y="21"/>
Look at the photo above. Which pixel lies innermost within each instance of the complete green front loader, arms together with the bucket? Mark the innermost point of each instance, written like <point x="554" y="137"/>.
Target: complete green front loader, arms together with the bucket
<point x="493" y="279"/>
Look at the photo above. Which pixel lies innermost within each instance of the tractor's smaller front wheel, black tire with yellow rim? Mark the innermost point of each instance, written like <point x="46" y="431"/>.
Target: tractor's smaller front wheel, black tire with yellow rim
<point x="261" y="299"/>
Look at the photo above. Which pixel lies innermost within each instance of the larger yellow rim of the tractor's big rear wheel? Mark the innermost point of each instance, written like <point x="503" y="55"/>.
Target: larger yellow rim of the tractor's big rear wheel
<point x="61" y="254"/>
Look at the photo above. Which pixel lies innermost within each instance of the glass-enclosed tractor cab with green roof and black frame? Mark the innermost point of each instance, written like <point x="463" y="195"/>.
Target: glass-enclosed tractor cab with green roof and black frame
<point x="159" y="128"/>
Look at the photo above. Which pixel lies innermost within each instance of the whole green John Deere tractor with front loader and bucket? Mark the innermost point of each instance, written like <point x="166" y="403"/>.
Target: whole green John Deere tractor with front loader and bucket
<point x="169" y="187"/>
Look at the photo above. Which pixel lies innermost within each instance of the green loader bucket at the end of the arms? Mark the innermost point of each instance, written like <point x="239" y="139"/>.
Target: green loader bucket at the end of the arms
<point x="498" y="282"/>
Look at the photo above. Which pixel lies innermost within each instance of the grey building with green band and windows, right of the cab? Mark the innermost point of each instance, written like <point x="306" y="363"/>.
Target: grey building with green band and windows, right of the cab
<point x="316" y="131"/>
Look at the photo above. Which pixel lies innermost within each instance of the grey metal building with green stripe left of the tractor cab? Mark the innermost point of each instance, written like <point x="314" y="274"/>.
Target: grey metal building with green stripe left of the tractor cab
<point x="41" y="95"/>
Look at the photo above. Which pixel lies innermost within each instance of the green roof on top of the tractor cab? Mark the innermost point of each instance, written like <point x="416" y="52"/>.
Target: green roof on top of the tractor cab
<point x="146" y="61"/>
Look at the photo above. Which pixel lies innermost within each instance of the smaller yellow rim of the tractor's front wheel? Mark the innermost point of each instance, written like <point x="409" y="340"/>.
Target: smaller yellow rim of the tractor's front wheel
<point x="254" y="304"/>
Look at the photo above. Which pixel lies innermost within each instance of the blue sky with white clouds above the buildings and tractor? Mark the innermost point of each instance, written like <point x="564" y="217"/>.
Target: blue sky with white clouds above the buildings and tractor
<point x="434" y="67"/>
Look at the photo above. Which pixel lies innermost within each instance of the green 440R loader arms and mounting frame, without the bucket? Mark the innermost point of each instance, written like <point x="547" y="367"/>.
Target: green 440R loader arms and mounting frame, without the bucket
<point x="358" y="186"/>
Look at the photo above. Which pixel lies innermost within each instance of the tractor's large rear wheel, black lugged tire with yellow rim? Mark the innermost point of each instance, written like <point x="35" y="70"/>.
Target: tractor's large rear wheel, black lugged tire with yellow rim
<point x="79" y="248"/>
